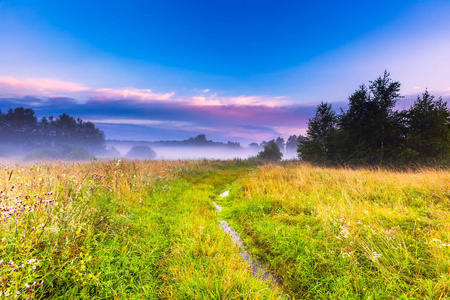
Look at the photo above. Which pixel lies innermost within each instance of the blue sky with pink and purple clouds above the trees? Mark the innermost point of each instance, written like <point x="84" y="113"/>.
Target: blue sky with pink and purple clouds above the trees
<point x="243" y="71"/>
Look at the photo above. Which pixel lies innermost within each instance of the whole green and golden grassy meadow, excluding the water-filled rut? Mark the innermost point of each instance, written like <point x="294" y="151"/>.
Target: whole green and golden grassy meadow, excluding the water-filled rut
<point x="149" y="230"/>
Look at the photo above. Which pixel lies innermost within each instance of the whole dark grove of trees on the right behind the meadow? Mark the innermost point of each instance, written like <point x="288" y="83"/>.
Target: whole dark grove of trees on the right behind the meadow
<point x="372" y="132"/>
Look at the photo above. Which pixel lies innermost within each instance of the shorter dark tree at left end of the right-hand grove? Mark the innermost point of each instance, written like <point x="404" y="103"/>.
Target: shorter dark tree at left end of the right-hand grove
<point x="318" y="145"/>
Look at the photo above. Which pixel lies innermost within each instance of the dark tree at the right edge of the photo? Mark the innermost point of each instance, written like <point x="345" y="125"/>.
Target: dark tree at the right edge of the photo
<point x="428" y="129"/>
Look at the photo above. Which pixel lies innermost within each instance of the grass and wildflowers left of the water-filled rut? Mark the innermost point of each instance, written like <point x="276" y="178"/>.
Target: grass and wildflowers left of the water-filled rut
<point x="118" y="230"/>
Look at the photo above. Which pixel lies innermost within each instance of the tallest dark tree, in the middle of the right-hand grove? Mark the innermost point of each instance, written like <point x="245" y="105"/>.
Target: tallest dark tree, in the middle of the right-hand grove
<point x="371" y="131"/>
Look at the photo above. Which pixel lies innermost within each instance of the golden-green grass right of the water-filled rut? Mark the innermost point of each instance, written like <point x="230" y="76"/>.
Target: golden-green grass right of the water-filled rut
<point x="342" y="233"/>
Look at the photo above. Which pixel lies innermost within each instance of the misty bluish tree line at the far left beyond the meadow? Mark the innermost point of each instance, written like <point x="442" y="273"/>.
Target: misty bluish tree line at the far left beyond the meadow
<point x="20" y="127"/>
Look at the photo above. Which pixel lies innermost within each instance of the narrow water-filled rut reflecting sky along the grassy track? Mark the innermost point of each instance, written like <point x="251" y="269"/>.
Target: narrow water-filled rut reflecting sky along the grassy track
<point x="258" y="269"/>
